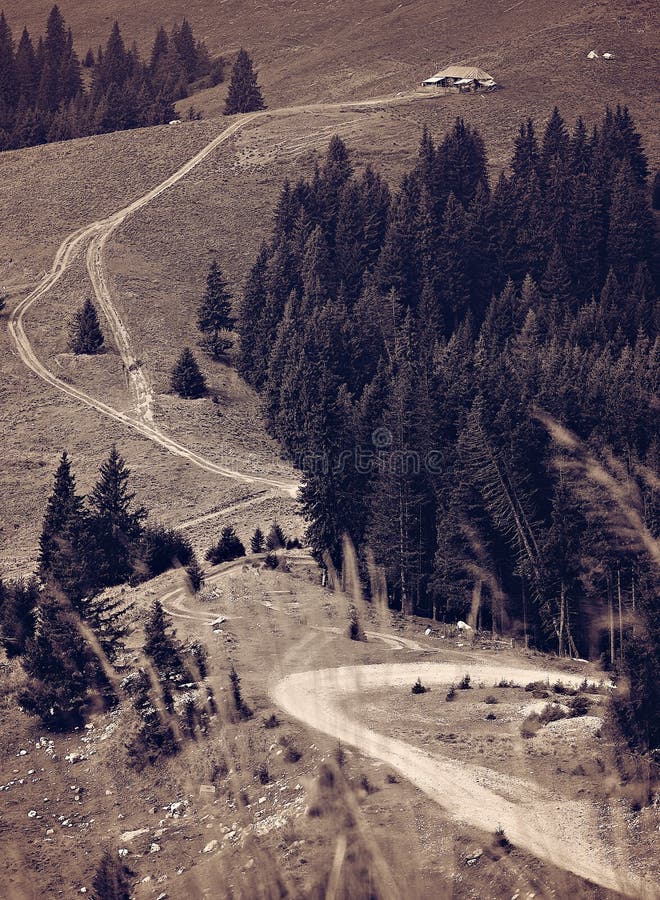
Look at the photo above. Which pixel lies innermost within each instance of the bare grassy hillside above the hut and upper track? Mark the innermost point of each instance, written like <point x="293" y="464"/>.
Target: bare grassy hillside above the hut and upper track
<point x="335" y="50"/>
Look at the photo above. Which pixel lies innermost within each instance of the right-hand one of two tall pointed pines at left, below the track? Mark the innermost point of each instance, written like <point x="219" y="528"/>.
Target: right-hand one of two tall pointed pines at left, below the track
<point x="117" y="526"/>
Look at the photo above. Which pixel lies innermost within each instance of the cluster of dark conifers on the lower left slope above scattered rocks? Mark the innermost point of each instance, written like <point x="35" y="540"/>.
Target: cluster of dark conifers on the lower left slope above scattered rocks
<point x="68" y="631"/>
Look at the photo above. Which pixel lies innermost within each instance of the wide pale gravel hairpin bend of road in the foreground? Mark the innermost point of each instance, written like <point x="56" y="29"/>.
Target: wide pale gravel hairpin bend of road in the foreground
<point x="564" y="833"/>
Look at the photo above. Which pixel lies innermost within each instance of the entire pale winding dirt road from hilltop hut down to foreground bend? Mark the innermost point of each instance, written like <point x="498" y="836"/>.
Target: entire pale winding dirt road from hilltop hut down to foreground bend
<point x="472" y="794"/>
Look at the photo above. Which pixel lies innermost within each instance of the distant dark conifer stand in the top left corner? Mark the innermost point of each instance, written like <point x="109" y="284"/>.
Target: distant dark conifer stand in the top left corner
<point x="45" y="97"/>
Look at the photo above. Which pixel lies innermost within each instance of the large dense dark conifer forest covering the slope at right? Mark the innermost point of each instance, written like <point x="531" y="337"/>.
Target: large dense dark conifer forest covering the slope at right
<point x="409" y="349"/>
